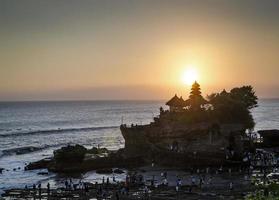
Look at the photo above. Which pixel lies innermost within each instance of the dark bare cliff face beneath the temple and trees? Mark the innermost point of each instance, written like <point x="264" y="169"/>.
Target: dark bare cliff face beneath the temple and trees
<point x="196" y="140"/>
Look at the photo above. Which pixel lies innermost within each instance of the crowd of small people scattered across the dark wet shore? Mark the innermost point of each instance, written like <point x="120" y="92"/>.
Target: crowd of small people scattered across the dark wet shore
<point x="200" y="178"/>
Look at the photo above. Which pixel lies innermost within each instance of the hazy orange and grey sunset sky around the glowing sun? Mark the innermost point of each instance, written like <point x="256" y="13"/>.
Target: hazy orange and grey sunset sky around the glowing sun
<point x="136" y="49"/>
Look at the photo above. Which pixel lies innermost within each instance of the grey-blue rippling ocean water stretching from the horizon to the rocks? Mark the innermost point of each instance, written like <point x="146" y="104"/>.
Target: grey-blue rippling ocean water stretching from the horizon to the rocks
<point x="30" y="131"/>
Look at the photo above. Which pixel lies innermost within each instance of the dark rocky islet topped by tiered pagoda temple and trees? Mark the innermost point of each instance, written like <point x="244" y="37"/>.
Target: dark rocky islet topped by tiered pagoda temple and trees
<point x="206" y="131"/>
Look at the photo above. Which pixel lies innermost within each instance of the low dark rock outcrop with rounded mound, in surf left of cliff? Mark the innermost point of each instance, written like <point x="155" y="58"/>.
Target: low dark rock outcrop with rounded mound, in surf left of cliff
<point x="79" y="159"/>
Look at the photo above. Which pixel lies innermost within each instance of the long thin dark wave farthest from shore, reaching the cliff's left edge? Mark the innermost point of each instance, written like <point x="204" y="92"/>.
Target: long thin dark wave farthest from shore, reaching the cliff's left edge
<point x="55" y="131"/>
